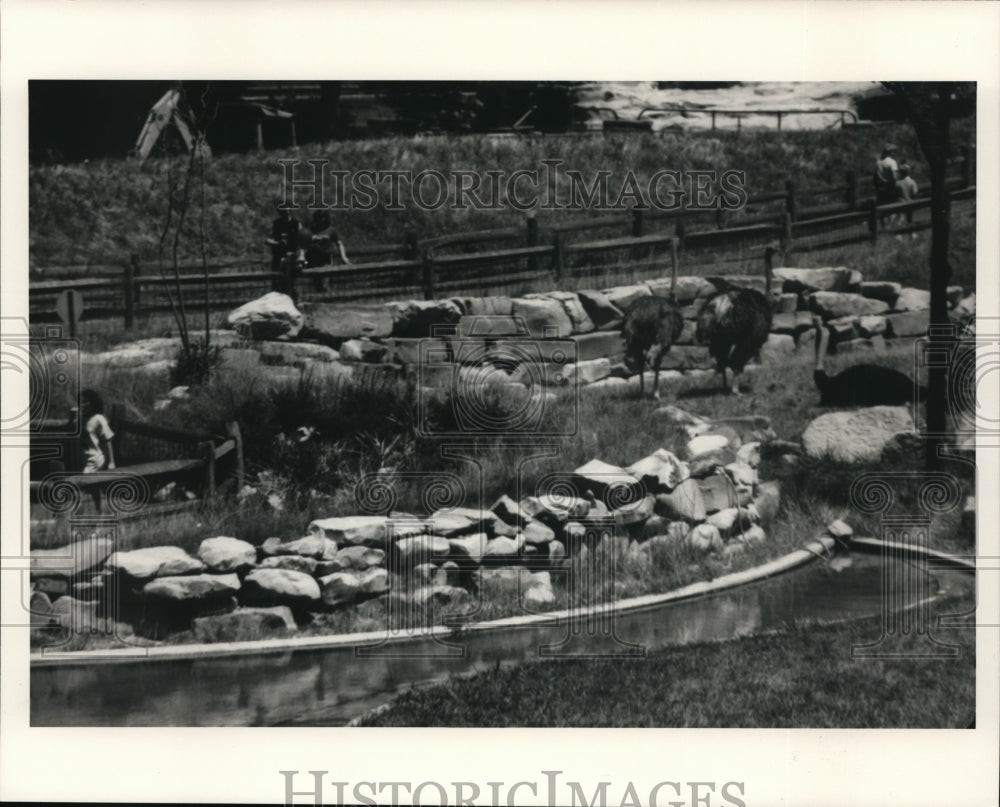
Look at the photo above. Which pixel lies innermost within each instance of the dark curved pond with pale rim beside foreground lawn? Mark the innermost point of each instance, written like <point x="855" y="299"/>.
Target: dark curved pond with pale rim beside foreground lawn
<point x="331" y="685"/>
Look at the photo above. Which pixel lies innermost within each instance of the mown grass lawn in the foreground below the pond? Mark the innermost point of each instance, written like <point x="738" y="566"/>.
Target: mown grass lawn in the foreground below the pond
<point x="803" y="676"/>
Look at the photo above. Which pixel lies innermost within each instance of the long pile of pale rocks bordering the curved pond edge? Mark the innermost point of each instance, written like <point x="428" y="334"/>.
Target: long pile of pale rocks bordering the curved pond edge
<point x="709" y="500"/>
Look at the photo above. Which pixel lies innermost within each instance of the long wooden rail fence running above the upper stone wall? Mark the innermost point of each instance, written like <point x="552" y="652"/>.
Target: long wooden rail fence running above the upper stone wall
<point x="595" y="251"/>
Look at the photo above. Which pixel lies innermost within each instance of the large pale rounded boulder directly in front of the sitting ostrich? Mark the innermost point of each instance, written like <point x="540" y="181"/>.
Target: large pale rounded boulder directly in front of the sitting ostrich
<point x="856" y="435"/>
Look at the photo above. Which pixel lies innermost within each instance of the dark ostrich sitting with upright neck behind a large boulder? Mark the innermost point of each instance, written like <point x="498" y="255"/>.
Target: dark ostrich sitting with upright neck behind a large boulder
<point x="860" y="384"/>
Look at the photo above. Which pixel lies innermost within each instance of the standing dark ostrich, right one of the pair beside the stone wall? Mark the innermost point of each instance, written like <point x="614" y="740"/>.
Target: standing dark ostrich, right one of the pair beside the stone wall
<point x="735" y="323"/>
